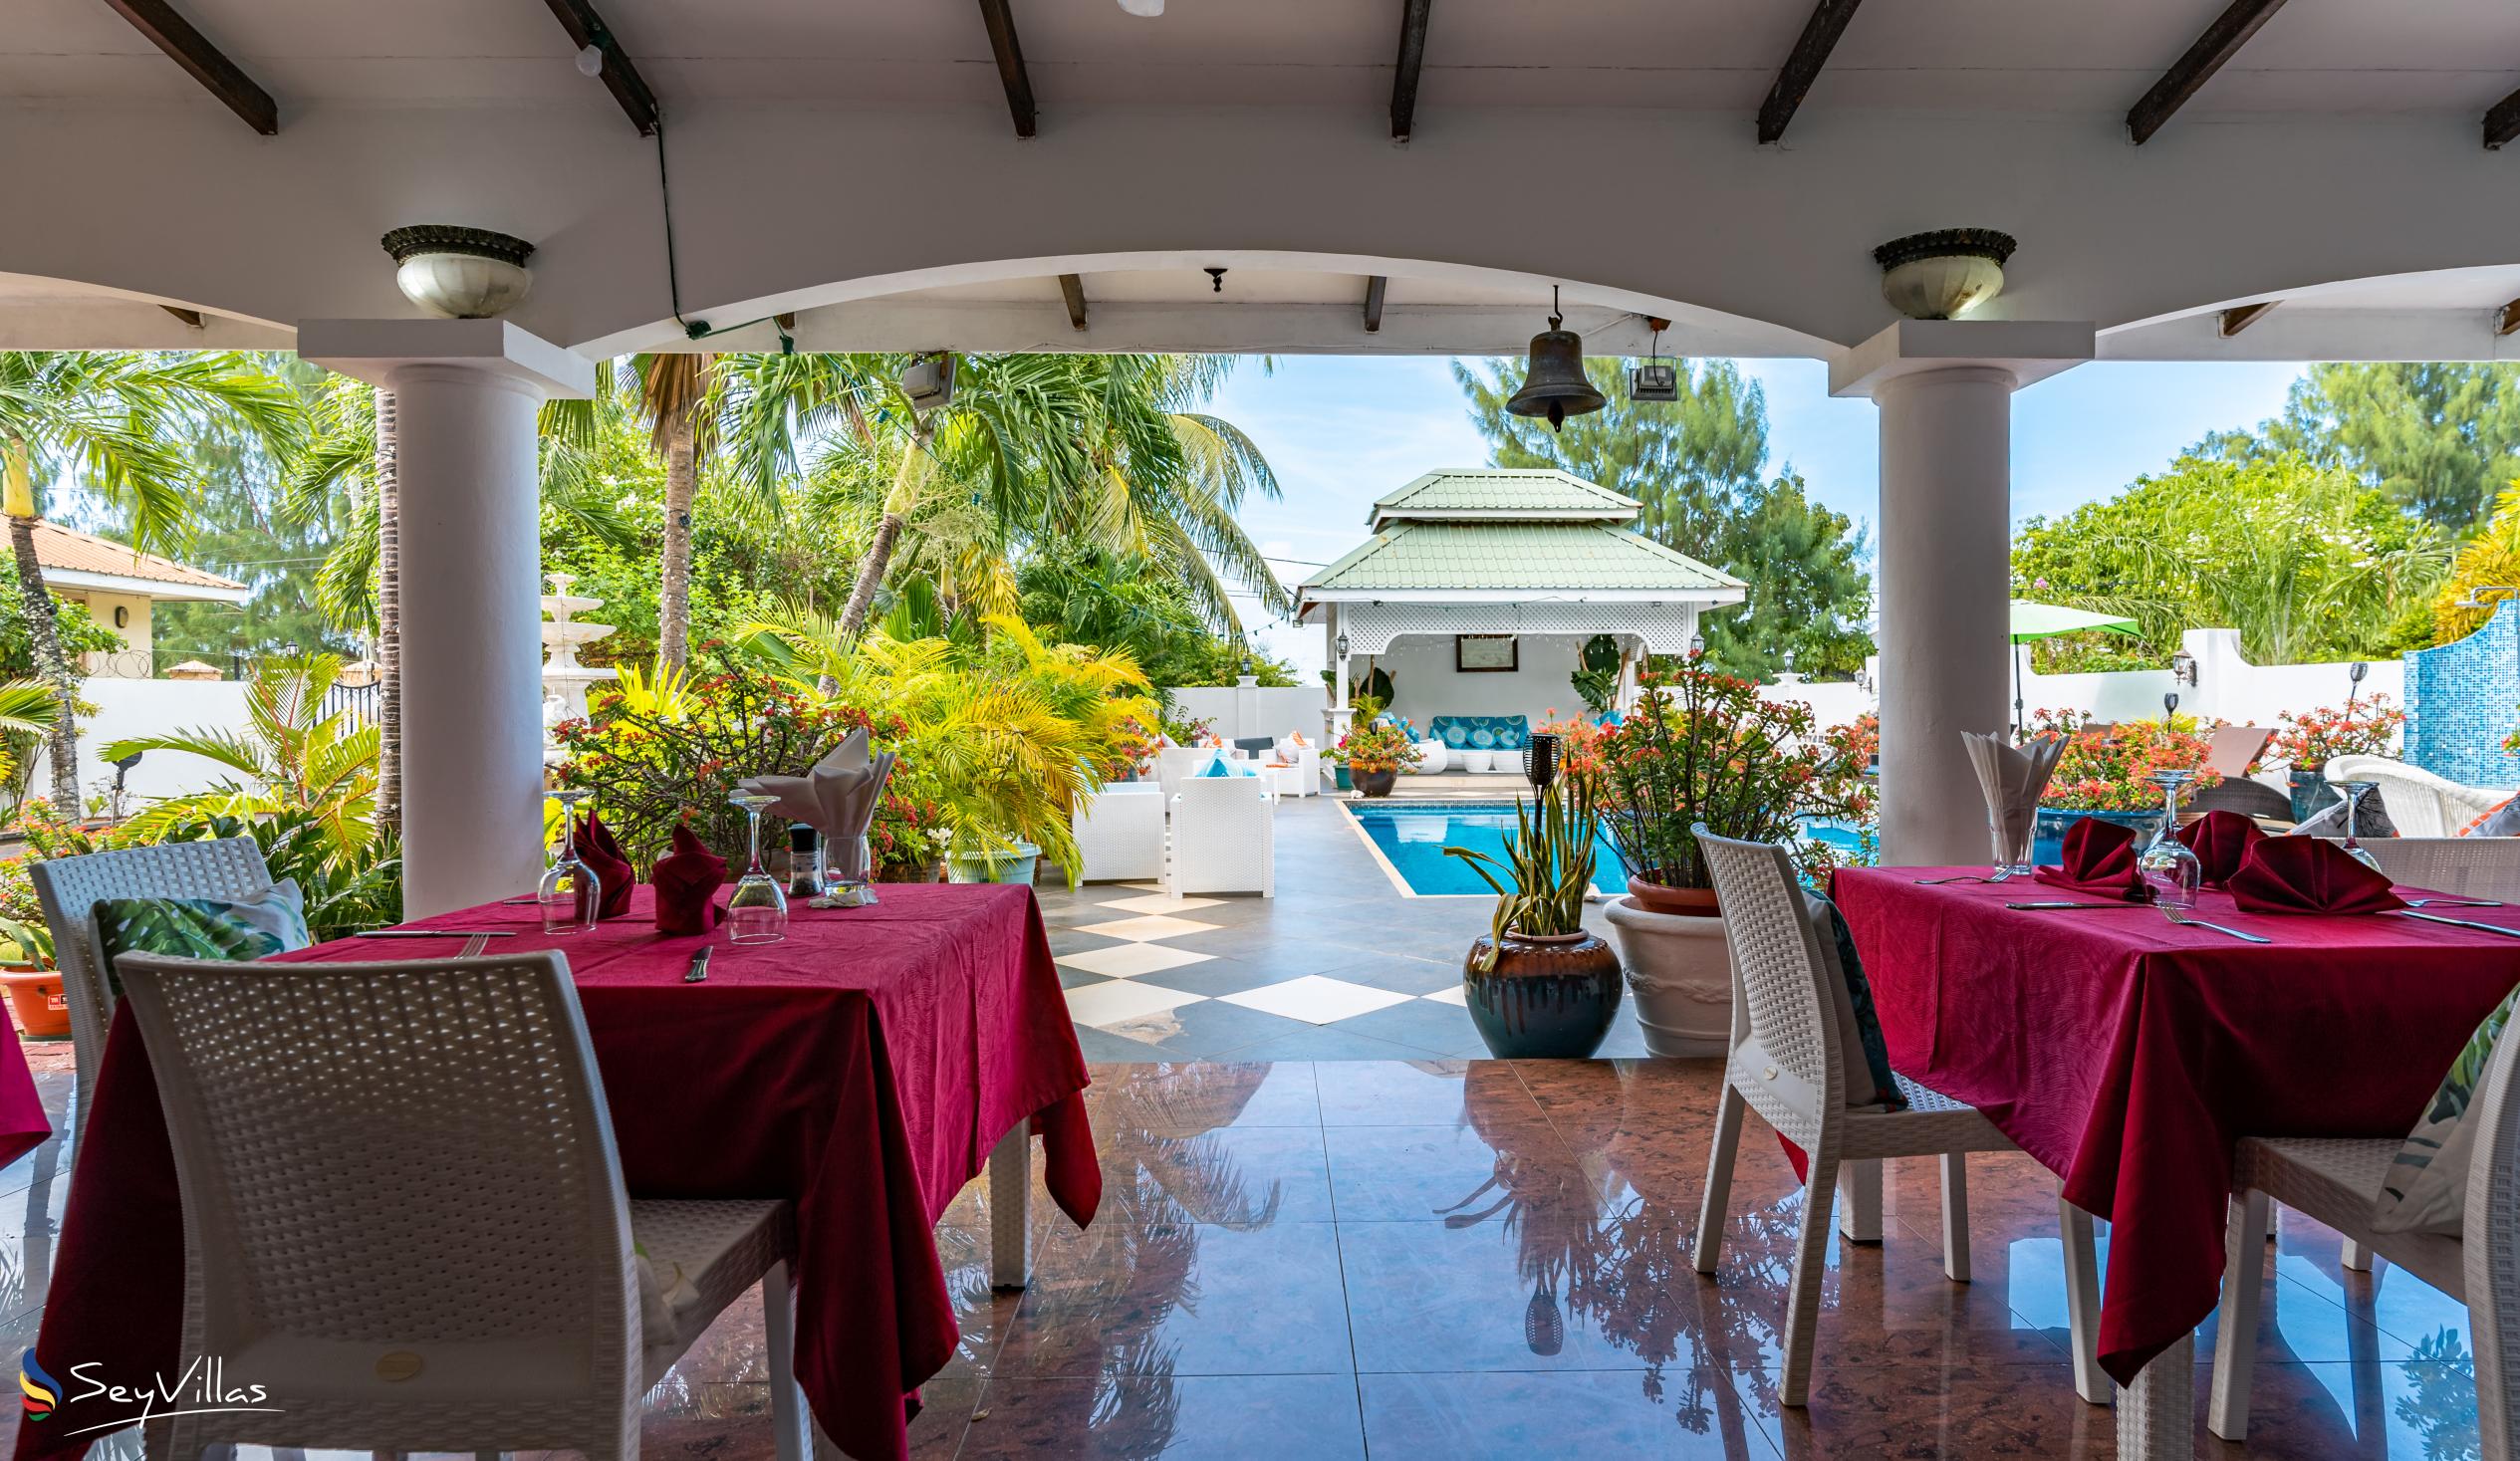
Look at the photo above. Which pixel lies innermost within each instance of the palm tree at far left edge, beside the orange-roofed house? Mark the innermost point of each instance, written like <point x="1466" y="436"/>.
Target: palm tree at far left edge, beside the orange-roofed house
<point x="115" y="422"/>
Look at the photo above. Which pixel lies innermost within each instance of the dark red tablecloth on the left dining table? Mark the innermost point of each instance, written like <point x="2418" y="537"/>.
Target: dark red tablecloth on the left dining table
<point x="861" y="1069"/>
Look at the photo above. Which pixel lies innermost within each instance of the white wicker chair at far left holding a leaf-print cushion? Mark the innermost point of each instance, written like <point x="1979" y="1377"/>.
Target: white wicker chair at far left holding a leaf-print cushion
<point x="72" y="888"/>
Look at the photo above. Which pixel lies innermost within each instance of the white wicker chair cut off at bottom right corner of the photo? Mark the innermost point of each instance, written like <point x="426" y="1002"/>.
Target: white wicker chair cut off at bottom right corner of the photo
<point x="2335" y="1183"/>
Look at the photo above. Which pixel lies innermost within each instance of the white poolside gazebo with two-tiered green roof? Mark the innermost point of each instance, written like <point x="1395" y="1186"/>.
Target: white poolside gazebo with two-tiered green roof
<point x="1483" y="586"/>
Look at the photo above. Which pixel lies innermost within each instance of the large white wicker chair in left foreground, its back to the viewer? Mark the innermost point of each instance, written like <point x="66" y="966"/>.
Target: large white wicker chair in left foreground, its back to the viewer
<point x="404" y="1213"/>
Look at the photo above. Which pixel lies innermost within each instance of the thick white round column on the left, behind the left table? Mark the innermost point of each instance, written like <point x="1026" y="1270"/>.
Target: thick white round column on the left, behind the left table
<point x="472" y="558"/>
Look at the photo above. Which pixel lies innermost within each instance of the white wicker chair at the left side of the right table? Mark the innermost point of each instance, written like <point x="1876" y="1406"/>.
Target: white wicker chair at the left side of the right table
<point x="1785" y="1067"/>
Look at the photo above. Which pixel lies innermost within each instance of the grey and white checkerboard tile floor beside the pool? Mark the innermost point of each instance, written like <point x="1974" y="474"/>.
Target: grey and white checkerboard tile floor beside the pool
<point x="1339" y="966"/>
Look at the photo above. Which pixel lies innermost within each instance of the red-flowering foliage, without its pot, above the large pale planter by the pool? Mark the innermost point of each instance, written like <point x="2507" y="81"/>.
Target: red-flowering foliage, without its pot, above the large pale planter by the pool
<point x="1710" y="749"/>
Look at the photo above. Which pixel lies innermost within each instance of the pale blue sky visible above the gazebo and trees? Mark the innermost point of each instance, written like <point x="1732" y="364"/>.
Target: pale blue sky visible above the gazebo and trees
<point x="1347" y="429"/>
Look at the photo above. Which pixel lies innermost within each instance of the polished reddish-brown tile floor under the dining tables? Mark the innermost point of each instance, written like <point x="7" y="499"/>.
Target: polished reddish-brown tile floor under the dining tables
<point x="1458" y="1261"/>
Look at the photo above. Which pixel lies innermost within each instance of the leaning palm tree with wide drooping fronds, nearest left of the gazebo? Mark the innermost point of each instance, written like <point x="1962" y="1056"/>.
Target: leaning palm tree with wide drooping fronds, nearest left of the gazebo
<point x="1092" y="447"/>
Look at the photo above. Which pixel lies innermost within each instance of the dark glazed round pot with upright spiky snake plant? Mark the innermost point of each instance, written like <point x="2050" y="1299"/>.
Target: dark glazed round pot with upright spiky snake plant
<point x="1541" y="986"/>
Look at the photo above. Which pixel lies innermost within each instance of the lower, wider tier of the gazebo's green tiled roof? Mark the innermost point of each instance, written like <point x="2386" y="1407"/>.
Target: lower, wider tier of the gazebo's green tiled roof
<point x="1513" y="558"/>
